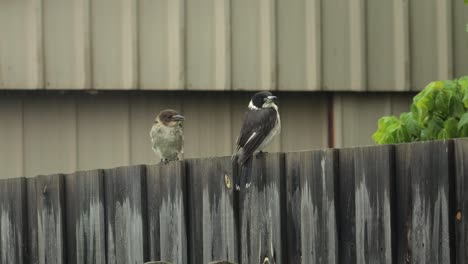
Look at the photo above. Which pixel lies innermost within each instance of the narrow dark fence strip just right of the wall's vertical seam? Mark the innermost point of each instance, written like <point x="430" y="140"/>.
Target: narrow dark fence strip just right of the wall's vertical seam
<point x="346" y="207"/>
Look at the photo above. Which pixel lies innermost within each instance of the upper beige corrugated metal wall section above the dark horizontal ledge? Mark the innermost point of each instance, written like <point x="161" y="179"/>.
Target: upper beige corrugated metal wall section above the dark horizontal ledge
<point x="240" y="45"/>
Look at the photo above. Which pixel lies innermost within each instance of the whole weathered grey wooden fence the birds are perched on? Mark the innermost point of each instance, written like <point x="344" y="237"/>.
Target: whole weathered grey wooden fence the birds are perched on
<point x="384" y="204"/>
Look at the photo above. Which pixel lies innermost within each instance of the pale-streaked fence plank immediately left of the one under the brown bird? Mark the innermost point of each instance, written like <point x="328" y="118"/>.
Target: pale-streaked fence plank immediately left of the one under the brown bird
<point x="125" y="197"/>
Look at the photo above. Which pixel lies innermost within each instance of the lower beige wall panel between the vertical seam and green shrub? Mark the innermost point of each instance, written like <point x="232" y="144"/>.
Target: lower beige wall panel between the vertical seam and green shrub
<point x="355" y="116"/>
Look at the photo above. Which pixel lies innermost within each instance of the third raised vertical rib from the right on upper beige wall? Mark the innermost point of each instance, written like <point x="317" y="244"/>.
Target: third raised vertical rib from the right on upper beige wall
<point x="357" y="48"/>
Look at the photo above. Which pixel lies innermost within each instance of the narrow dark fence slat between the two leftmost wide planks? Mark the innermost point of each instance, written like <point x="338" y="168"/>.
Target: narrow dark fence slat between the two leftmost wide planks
<point x="32" y="228"/>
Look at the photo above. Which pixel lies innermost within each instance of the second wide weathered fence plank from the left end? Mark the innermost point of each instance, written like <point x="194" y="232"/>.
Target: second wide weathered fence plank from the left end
<point x="50" y="219"/>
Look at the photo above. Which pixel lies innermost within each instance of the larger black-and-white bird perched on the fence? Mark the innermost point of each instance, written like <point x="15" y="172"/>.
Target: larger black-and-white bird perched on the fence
<point x="261" y="123"/>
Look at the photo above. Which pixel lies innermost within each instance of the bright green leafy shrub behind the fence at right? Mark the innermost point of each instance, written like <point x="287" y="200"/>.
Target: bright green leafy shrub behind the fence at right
<point x="440" y="111"/>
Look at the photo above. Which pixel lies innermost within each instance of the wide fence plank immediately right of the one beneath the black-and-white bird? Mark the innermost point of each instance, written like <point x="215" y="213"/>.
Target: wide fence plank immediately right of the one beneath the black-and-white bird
<point x="311" y="216"/>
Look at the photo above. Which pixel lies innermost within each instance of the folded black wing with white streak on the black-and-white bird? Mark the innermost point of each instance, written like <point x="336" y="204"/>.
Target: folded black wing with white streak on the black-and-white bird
<point x="256" y="126"/>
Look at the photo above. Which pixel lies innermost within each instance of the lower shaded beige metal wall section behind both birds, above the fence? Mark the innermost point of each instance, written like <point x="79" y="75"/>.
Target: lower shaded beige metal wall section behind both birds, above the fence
<point x="48" y="132"/>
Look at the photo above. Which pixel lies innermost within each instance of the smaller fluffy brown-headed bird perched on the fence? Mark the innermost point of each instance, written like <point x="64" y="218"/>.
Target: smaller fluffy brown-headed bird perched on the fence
<point x="167" y="135"/>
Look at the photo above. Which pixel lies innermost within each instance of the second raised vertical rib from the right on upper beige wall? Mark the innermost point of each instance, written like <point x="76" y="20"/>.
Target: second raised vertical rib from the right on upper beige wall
<point x="401" y="45"/>
